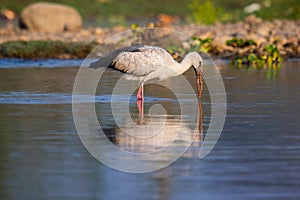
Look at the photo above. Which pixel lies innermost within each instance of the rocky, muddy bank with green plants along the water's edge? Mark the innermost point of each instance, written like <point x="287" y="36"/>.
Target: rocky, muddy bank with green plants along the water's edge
<point x="235" y="40"/>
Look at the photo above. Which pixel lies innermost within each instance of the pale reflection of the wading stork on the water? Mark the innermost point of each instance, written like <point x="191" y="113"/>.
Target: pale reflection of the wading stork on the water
<point x="151" y="132"/>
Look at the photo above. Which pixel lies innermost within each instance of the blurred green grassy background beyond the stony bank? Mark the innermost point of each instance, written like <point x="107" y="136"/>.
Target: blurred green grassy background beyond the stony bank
<point x="113" y="12"/>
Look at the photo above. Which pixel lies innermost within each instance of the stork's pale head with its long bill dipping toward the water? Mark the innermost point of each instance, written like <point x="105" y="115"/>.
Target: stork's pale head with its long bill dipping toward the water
<point x="197" y="63"/>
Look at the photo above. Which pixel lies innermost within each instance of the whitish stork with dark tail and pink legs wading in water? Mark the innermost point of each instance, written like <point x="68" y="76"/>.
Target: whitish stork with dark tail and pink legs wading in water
<point x="144" y="63"/>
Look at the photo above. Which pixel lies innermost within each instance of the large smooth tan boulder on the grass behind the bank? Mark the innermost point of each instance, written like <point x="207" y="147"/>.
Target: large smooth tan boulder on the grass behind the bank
<point x="50" y="17"/>
